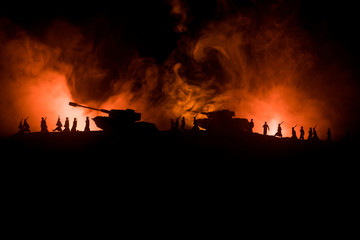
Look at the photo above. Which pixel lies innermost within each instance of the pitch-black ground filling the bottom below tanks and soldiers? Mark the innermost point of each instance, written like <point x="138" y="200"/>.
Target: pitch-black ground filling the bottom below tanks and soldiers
<point x="149" y="184"/>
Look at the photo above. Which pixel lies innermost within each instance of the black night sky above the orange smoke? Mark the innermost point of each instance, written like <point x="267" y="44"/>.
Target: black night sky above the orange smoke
<point x="148" y="25"/>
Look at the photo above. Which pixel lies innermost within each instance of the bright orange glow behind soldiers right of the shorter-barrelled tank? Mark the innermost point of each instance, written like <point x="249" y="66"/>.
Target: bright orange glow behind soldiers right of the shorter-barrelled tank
<point x="283" y="104"/>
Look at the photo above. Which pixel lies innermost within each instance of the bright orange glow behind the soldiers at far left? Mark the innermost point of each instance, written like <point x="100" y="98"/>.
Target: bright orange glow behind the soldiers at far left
<point x="35" y="86"/>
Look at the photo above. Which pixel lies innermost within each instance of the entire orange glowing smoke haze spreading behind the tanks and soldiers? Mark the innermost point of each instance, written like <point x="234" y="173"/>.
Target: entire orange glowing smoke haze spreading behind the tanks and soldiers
<point x="260" y="64"/>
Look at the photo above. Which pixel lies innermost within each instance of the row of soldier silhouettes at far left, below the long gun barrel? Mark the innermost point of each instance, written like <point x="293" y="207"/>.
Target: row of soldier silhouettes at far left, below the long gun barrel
<point x="25" y="128"/>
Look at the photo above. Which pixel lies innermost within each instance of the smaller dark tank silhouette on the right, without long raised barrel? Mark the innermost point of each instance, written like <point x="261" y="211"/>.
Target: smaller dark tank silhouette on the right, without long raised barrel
<point x="222" y="121"/>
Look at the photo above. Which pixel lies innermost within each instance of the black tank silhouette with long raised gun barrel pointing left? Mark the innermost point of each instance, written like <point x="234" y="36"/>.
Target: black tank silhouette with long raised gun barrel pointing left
<point x="119" y="120"/>
